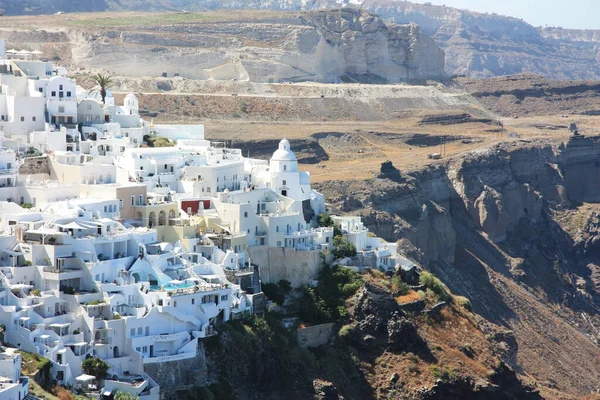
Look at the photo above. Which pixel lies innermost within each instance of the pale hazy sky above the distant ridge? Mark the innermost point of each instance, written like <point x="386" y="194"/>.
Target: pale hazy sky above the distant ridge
<point x="576" y="14"/>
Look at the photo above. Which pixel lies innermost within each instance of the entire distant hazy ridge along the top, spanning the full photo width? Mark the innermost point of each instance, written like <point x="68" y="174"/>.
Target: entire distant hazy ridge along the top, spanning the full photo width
<point x="476" y="45"/>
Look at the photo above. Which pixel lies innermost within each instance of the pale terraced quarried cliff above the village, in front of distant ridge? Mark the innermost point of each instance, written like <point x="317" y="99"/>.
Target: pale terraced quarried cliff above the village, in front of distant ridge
<point x="322" y="46"/>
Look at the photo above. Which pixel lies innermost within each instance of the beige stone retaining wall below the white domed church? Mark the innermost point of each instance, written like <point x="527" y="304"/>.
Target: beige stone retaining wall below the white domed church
<point x="277" y="263"/>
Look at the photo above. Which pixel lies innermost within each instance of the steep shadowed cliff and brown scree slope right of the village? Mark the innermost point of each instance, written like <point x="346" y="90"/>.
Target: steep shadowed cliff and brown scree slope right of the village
<point x="503" y="227"/>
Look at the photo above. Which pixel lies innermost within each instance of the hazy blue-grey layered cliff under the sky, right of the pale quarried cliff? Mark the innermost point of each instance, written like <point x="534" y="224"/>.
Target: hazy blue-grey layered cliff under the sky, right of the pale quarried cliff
<point x="486" y="45"/>
